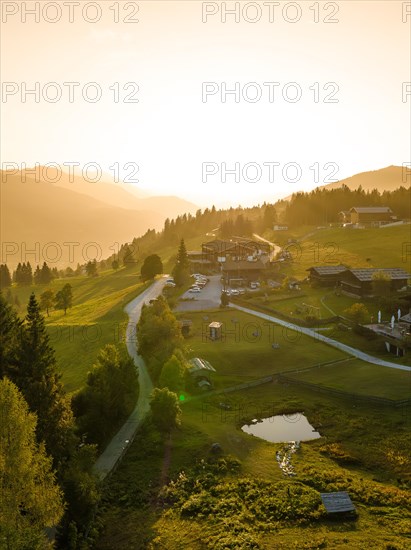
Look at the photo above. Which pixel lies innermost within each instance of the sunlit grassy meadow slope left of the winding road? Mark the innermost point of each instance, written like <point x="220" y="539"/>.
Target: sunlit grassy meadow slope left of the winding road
<point x="96" y="319"/>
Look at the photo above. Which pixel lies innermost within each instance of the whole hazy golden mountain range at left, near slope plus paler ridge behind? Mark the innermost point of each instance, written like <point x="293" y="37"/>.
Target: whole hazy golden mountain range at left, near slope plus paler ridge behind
<point x="42" y="211"/>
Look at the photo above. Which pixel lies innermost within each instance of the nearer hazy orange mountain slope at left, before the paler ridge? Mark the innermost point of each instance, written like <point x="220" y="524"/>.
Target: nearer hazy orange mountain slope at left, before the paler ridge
<point x="40" y="212"/>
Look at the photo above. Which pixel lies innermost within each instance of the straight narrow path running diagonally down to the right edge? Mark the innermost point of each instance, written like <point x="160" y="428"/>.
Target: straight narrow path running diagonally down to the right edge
<point x="334" y="343"/>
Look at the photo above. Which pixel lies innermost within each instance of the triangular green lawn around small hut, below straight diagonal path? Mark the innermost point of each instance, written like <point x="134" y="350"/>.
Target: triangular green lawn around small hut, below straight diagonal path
<point x="246" y="352"/>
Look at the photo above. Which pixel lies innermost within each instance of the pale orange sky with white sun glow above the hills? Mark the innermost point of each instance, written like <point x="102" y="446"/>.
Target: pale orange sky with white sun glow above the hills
<point x="318" y="93"/>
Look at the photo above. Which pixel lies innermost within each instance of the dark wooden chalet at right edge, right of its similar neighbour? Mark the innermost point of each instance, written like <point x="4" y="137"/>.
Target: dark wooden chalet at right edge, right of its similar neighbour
<point x="359" y="282"/>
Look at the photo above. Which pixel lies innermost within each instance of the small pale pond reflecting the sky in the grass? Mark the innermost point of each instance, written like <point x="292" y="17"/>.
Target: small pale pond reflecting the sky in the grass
<point x="281" y="428"/>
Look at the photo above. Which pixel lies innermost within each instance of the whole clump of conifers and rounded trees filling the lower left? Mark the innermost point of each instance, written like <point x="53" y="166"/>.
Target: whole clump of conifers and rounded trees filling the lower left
<point x="48" y="441"/>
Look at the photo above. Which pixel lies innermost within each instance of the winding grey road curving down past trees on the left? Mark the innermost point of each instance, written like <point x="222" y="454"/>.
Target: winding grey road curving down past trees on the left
<point x="117" y="446"/>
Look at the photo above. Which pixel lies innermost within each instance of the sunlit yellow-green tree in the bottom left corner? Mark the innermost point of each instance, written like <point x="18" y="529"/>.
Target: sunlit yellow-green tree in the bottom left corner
<point x="30" y="498"/>
